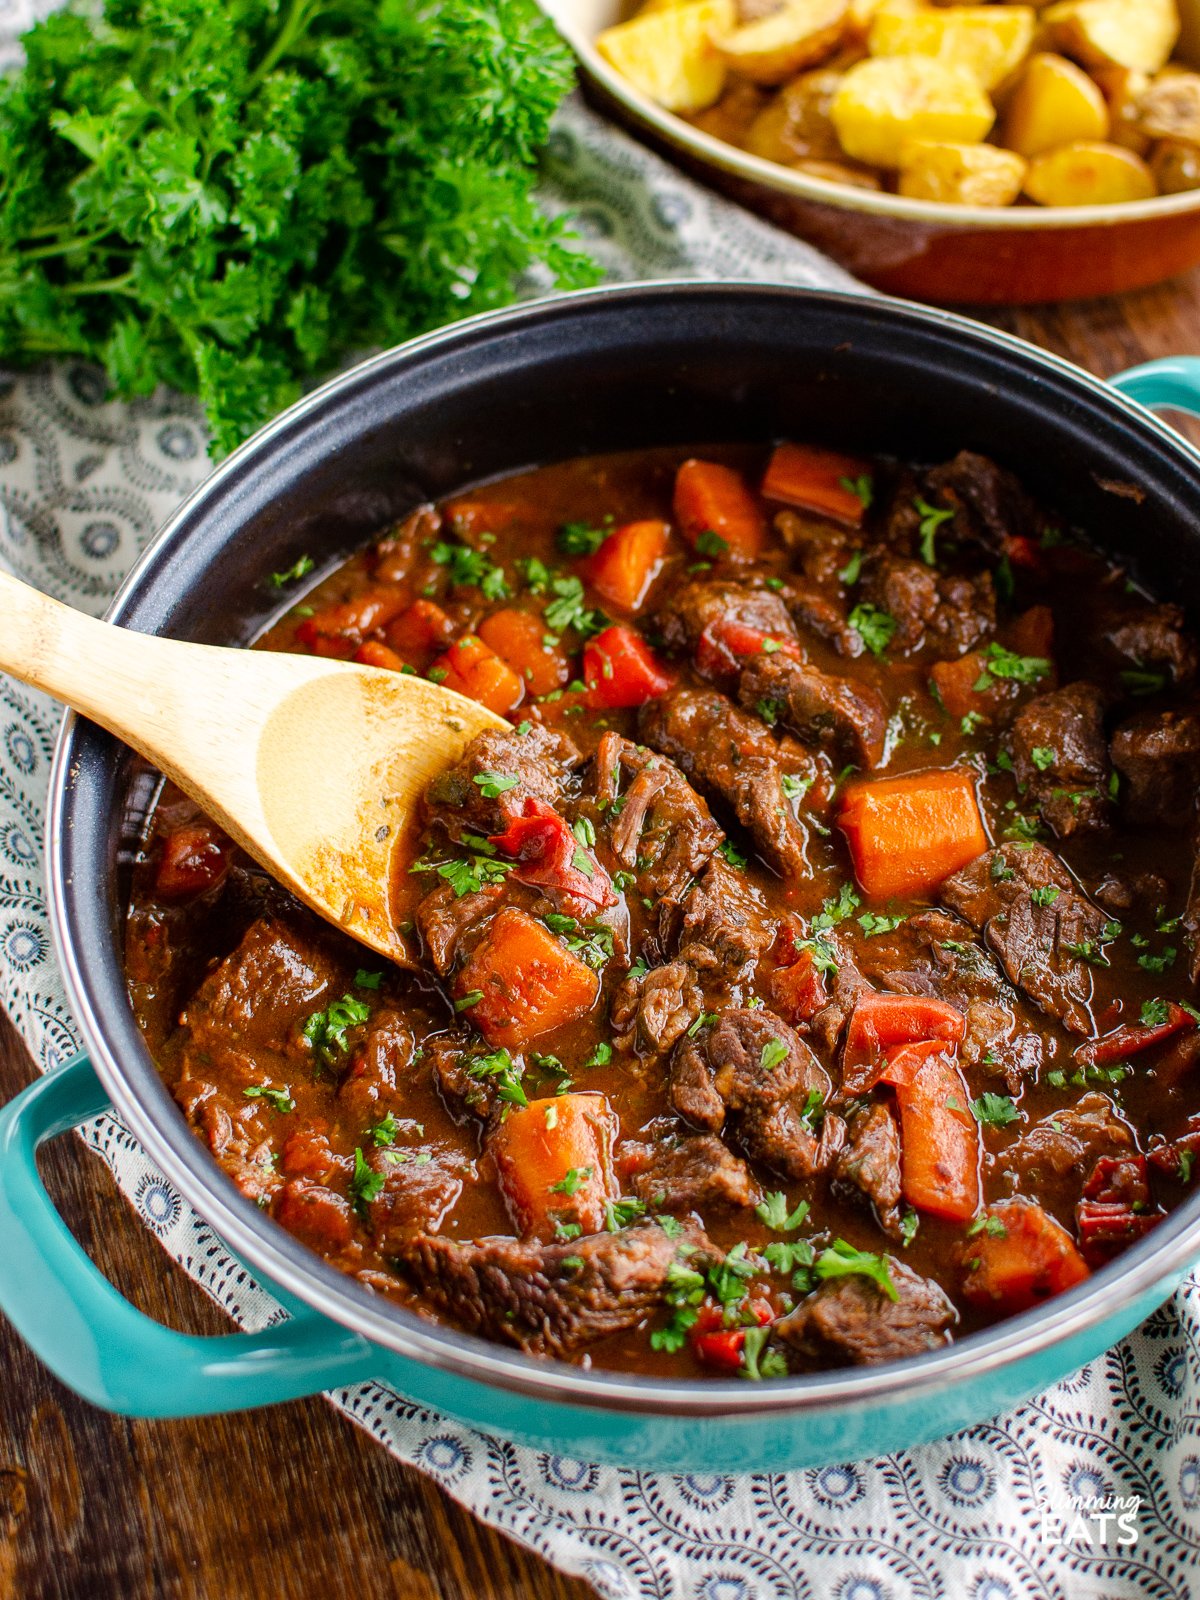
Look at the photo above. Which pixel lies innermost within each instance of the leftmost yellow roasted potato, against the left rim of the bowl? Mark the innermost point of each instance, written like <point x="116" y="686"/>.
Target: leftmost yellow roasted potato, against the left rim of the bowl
<point x="670" y="54"/>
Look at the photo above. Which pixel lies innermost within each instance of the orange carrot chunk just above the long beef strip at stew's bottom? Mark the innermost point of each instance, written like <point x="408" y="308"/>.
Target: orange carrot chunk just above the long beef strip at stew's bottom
<point x="556" y="1162"/>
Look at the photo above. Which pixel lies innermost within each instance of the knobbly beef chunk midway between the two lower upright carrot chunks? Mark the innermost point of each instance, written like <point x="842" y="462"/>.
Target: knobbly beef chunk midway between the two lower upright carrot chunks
<point x="737" y="1073"/>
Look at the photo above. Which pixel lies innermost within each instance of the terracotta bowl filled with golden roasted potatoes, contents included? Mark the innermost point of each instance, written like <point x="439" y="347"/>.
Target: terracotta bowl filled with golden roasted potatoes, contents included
<point x="962" y="154"/>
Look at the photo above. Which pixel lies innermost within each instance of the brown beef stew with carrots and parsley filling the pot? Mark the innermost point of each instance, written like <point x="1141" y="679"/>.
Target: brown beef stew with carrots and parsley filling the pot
<point x="804" y="980"/>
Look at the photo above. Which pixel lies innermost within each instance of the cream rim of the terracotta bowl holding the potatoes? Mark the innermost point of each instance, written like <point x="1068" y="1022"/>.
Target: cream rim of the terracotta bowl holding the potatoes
<point x="846" y="198"/>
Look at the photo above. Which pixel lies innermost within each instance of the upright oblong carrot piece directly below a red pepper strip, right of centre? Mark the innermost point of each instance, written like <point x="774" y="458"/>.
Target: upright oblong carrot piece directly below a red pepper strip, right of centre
<point x="940" y="1140"/>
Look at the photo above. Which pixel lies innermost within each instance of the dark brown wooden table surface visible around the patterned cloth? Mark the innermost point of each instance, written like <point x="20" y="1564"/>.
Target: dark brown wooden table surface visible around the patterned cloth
<point x="295" y="1503"/>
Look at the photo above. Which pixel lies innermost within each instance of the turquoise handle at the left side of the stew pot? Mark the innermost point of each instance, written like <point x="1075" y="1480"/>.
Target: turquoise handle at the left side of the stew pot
<point x="94" y="1338"/>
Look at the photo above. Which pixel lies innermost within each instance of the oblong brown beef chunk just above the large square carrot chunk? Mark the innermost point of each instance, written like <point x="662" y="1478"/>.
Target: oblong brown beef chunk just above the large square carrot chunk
<point x="820" y="710"/>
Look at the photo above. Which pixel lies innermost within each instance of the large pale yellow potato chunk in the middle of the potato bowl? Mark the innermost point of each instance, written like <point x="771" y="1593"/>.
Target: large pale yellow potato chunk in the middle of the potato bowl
<point x="889" y="100"/>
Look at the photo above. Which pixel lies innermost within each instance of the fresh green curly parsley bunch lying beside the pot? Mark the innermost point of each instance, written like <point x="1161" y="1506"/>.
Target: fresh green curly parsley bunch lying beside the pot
<point x="231" y="198"/>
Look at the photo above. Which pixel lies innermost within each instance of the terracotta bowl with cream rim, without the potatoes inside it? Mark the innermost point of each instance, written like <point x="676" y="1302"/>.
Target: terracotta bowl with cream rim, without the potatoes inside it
<point x="950" y="255"/>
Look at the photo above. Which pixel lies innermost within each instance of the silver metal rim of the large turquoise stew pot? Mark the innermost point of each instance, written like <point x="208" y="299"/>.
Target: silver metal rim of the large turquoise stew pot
<point x="1150" y="1265"/>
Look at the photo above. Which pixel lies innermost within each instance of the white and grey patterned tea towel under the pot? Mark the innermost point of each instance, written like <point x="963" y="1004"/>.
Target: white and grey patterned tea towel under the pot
<point x="84" y="484"/>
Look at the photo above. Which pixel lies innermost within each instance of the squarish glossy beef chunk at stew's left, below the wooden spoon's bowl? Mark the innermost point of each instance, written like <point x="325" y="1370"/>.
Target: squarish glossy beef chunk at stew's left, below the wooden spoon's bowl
<point x="252" y="999"/>
